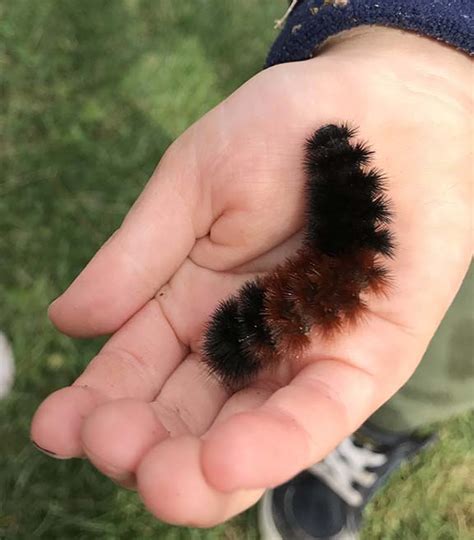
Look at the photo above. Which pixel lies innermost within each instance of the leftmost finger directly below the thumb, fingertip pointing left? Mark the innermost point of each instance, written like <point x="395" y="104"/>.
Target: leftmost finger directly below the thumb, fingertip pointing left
<point x="134" y="363"/>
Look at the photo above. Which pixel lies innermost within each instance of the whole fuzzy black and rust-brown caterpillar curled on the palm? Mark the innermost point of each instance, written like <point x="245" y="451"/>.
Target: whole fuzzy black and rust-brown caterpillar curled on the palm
<point x="346" y="233"/>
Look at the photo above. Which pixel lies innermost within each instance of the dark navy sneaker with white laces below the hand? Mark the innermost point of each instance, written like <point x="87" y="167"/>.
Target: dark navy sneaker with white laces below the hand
<point x="326" y="501"/>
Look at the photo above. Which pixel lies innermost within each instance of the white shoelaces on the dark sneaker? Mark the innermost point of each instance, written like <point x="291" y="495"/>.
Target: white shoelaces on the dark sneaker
<point x="347" y="466"/>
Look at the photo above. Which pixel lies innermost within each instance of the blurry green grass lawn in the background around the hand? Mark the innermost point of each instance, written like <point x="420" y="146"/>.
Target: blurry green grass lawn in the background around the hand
<point x="92" y="92"/>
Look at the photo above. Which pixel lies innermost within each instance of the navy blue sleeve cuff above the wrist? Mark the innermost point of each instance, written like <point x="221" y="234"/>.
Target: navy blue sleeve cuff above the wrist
<point x="313" y="21"/>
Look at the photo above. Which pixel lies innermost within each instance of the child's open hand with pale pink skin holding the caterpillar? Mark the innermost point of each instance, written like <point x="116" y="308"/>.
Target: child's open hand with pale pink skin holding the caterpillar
<point x="225" y="203"/>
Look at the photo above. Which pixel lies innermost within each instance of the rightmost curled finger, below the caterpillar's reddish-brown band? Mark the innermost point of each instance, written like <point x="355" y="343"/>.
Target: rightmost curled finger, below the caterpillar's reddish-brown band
<point x="302" y="422"/>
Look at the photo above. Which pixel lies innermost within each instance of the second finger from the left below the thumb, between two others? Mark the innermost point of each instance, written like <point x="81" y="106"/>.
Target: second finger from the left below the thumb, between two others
<point x="116" y="435"/>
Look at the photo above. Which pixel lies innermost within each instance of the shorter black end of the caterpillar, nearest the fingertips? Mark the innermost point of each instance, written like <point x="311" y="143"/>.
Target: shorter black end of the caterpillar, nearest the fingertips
<point x="237" y="336"/>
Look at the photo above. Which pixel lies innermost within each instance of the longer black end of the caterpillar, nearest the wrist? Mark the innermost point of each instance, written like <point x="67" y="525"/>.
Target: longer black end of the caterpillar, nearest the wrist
<point x="347" y="207"/>
